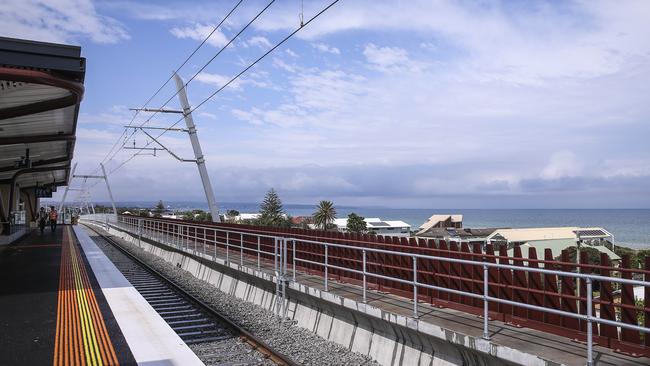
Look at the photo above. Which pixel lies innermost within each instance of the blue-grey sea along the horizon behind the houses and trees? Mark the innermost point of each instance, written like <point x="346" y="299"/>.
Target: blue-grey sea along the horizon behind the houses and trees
<point x="631" y="227"/>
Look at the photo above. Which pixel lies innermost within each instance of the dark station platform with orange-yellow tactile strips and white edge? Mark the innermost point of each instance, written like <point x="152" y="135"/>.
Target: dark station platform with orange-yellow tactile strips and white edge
<point x="62" y="302"/>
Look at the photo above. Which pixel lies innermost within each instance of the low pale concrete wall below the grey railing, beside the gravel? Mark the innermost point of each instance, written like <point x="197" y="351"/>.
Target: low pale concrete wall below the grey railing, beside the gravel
<point x="389" y="338"/>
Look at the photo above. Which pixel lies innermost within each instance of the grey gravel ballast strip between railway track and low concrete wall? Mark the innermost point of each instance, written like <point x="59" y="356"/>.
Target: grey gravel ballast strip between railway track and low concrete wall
<point x="301" y="345"/>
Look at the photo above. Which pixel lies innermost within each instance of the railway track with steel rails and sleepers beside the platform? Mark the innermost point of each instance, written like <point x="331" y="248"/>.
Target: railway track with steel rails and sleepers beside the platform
<point x="196" y="323"/>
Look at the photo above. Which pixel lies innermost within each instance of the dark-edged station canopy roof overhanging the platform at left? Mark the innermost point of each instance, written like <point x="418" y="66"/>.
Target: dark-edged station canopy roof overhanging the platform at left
<point x="41" y="86"/>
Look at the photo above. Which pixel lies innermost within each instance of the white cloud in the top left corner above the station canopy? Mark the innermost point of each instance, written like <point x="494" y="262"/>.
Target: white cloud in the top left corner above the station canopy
<point x="58" y="21"/>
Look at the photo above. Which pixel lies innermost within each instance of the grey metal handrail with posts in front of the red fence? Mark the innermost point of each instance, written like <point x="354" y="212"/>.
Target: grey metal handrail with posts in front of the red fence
<point x="280" y="259"/>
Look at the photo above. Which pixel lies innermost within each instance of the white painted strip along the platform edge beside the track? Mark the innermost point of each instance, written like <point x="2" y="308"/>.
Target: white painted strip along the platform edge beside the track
<point x="151" y="339"/>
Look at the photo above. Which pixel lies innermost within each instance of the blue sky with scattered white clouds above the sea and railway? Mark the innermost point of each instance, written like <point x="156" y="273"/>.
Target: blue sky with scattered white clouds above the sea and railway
<point x="407" y="104"/>
